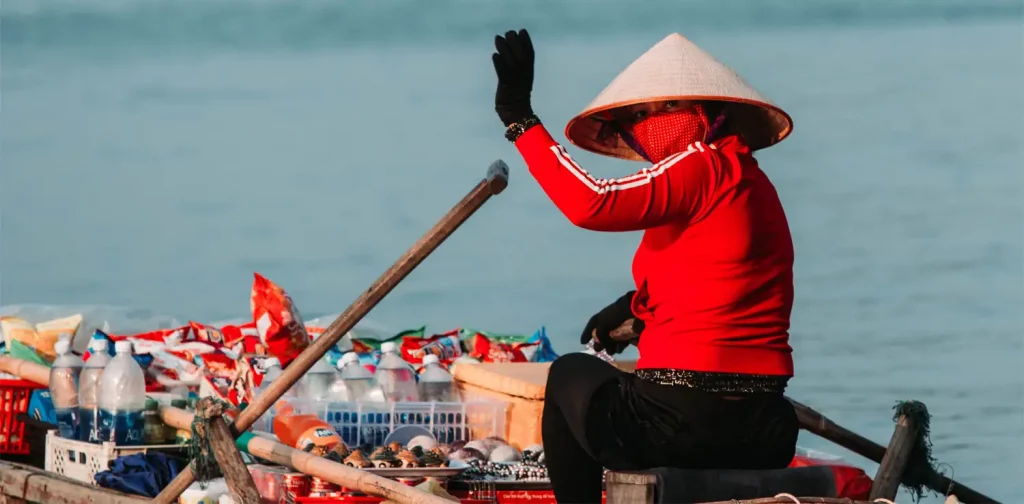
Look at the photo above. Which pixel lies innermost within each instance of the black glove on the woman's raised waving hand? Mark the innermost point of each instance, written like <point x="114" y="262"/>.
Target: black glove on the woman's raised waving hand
<point x="515" y="66"/>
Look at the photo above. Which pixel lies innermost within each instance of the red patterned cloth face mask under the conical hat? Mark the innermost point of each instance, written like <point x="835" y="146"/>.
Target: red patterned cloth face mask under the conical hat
<point x="666" y="134"/>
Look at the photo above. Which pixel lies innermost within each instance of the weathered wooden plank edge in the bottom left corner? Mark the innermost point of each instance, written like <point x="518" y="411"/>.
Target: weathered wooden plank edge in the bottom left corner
<point x="21" y="484"/>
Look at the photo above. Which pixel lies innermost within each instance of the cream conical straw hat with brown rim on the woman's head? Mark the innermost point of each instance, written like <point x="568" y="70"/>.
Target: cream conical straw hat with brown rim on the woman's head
<point x="677" y="69"/>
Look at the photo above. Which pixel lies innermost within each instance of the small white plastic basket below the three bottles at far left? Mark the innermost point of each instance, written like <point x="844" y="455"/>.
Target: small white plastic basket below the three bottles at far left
<point x="81" y="461"/>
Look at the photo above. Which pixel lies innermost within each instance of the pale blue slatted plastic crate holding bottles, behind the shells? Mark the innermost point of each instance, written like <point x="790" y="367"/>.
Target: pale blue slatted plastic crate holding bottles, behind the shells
<point x="360" y="424"/>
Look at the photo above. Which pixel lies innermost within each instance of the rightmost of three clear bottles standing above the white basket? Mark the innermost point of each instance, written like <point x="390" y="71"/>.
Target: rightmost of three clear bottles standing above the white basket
<point x="122" y="400"/>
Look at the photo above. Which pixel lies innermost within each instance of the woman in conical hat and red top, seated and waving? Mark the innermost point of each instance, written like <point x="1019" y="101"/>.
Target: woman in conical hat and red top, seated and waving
<point x="713" y="274"/>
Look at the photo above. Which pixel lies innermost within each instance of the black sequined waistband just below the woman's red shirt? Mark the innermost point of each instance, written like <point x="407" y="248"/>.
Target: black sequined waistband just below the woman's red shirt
<point x="715" y="383"/>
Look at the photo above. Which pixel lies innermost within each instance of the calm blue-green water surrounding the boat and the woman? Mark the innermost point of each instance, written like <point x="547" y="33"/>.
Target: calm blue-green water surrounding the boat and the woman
<point x="155" y="154"/>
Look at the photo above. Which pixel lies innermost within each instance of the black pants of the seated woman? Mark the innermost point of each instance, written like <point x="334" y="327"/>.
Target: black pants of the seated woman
<point x="596" y="416"/>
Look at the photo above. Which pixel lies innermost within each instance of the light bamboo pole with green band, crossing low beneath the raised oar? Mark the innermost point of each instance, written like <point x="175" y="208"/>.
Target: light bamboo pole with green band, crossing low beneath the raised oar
<point x="265" y="449"/>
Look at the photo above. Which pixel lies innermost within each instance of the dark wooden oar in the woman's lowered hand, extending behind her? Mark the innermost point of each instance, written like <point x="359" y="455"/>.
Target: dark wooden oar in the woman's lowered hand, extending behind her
<point x="818" y="424"/>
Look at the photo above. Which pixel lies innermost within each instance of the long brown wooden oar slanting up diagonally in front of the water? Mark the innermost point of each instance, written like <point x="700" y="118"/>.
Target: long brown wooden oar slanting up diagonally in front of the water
<point x="496" y="182"/>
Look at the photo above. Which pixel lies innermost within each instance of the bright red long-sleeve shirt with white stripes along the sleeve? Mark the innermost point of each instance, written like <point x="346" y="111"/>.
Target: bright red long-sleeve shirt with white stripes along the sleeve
<point x="714" y="271"/>
